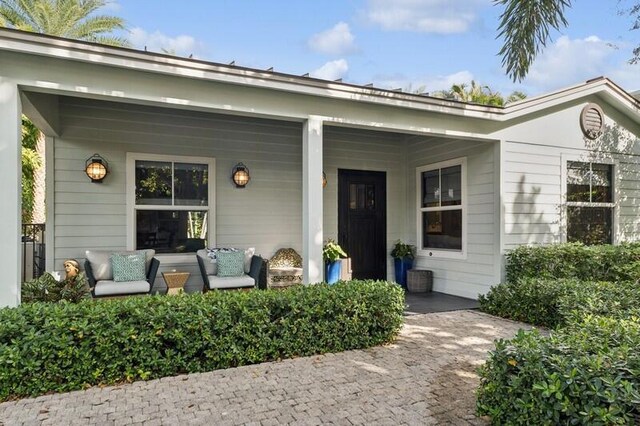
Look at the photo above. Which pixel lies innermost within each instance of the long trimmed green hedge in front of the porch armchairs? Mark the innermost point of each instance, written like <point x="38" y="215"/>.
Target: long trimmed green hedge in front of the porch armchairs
<point x="63" y="347"/>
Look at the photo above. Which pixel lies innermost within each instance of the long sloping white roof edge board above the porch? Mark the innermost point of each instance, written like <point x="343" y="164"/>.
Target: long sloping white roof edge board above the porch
<point x="144" y="61"/>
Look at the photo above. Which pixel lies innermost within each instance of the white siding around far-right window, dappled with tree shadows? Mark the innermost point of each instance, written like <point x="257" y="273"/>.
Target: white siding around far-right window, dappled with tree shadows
<point x="532" y="191"/>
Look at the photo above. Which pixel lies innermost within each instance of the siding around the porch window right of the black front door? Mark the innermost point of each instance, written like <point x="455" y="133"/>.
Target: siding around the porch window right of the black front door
<point x="478" y="272"/>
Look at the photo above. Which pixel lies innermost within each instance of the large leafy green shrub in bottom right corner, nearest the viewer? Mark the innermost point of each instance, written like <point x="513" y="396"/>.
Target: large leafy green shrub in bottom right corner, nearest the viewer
<point x="586" y="373"/>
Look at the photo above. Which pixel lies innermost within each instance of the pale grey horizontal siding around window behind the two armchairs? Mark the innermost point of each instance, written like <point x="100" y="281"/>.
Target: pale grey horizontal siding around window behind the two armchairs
<point x="266" y="214"/>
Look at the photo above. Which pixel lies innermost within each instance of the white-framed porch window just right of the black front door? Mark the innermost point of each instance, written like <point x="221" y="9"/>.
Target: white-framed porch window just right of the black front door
<point x="441" y="209"/>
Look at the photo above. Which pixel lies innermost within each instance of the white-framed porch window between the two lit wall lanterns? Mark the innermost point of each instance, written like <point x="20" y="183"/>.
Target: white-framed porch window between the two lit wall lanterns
<point x="170" y="202"/>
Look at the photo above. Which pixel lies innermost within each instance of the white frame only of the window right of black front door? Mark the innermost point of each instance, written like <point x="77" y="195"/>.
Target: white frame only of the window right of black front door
<point x="438" y="252"/>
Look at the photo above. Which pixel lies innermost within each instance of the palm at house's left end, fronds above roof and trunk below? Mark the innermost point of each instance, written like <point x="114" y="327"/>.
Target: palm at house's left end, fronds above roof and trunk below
<point x="76" y="19"/>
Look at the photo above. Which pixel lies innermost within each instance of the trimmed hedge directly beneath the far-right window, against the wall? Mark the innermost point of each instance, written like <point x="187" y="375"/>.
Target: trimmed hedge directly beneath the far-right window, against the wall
<point x="574" y="260"/>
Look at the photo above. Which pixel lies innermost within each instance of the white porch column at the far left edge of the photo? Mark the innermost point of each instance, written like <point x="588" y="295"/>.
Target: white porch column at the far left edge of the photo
<point x="10" y="194"/>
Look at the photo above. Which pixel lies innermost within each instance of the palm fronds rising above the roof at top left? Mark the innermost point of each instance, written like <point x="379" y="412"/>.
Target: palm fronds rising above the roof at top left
<point x="76" y="19"/>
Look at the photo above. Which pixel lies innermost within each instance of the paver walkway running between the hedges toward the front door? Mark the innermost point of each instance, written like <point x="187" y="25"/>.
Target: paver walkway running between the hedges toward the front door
<point x="426" y="377"/>
